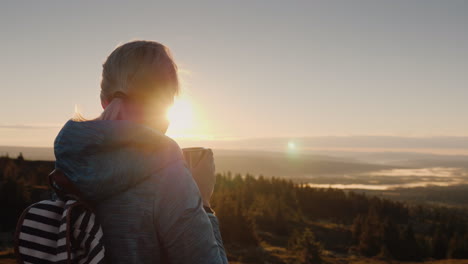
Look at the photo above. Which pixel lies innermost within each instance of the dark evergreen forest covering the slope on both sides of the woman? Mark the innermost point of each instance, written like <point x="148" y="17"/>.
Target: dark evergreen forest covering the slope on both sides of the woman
<point x="266" y="219"/>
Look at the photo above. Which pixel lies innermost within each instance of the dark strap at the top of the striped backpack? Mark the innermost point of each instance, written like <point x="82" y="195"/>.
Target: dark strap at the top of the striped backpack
<point x="64" y="188"/>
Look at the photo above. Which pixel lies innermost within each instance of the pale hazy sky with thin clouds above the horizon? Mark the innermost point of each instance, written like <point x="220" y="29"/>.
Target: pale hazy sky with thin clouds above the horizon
<point x="250" y="69"/>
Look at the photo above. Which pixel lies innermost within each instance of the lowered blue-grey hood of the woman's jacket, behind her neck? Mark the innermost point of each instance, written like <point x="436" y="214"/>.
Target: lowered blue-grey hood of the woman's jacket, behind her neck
<point x="106" y="157"/>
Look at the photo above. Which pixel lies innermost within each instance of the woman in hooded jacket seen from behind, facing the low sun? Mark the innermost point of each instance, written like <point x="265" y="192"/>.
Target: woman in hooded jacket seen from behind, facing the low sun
<point x="151" y="207"/>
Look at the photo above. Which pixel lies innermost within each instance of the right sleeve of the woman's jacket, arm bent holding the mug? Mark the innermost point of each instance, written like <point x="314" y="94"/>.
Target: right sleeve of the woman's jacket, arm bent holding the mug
<point x="187" y="233"/>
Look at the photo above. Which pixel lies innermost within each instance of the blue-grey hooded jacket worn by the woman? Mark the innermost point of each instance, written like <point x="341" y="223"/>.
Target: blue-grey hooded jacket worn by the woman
<point x="148" y="204"/>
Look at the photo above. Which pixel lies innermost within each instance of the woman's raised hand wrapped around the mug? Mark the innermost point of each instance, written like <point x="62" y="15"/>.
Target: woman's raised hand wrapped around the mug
<point x="204" y="175"/>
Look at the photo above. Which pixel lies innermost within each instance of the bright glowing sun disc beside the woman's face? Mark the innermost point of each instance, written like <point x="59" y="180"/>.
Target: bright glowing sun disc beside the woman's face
<point x="180" y="116"/>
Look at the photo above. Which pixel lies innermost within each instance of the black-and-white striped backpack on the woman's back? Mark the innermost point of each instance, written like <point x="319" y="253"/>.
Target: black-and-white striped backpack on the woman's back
<point x="62" y="230"/>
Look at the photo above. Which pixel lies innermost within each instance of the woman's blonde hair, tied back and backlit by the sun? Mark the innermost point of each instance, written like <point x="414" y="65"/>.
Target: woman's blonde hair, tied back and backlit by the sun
<point x="141" y="71"/>
